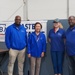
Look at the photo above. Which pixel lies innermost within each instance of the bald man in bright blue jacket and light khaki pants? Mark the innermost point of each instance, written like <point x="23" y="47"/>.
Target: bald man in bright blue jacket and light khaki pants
<point x="16" y="42"/>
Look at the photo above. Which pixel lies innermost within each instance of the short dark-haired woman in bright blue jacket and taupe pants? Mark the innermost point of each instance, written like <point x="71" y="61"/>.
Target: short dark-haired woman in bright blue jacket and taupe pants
<point x="36" y="48"/>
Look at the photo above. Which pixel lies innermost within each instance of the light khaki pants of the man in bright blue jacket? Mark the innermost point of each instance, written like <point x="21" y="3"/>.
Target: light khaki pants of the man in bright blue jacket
<point x="13" y="54"/>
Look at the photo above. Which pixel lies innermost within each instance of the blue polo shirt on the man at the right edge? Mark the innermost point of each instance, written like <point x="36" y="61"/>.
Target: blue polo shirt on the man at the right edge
<point x="70" y="41"/>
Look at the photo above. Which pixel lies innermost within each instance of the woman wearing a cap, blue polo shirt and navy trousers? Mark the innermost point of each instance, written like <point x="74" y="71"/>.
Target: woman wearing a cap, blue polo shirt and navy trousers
<point x="56" y="38"/>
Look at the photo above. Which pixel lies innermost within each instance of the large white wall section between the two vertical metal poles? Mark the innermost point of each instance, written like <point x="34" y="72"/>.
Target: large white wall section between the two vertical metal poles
<point x="47" y="9"/>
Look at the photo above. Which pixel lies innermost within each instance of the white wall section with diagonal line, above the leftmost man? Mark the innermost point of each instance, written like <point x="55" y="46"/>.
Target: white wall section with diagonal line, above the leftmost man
<point x="8" y="9"/>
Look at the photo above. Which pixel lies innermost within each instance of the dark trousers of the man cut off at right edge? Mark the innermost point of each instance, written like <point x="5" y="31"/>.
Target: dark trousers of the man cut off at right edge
<point x="71" y="65"/>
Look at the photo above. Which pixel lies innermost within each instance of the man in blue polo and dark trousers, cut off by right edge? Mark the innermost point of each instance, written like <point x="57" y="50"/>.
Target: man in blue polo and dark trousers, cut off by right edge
<point x="70" y="44"/>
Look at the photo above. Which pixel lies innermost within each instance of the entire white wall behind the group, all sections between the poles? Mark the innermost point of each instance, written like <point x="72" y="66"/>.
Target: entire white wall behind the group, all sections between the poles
<point x="37" y="9"/>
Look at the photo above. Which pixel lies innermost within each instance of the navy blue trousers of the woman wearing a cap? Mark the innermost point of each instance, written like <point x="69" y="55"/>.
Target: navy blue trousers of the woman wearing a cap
<point x="57" y="60"/>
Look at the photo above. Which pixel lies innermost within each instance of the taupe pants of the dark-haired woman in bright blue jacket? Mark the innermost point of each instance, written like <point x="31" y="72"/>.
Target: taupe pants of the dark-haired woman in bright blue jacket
<point x="35" y="66"/>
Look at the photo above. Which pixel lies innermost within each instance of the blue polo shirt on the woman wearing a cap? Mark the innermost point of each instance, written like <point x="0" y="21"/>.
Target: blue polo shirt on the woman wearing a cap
<point x="57" y="40"/>
